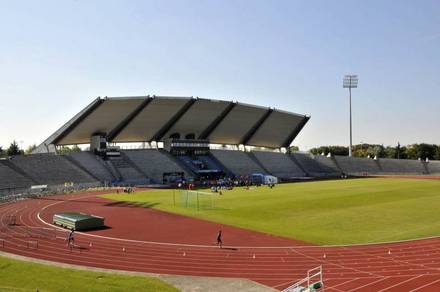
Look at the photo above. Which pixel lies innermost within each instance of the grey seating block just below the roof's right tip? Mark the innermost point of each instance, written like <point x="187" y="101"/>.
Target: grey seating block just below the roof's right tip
<point x="314" y="167"/>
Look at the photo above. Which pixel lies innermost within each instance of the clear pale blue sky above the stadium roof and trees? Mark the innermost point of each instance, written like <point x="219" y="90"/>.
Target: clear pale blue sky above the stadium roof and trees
<point x="57" y="56"/>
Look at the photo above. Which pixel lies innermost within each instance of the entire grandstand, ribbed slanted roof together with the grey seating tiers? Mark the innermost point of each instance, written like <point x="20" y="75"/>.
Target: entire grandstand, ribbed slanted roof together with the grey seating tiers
<point x="182" y="139"/>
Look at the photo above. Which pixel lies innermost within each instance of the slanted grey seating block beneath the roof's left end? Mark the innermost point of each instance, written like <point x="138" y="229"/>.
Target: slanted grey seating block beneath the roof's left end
<point x="93" y="165"/>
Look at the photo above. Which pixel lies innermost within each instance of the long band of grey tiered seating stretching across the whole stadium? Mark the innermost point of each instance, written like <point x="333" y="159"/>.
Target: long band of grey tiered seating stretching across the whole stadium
<point x="149" y="165"/>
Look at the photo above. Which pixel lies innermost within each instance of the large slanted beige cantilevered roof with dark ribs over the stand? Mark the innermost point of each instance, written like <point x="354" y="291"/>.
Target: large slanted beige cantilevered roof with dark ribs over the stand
<point x="155" y="118"/>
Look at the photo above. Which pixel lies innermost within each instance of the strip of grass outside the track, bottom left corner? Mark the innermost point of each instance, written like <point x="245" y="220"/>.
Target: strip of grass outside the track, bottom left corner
<point x="17" y="275"/>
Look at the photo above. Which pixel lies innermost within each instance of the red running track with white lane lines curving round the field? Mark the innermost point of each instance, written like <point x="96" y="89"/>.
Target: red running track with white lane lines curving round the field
<point x="146" y="240"/>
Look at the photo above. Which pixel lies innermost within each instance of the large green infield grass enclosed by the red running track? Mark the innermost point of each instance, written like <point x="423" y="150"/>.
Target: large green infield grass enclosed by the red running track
<point x="322" y="212"/>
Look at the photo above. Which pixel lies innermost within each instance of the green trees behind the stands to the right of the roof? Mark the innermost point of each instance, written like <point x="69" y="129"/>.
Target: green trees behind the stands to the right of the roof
<point x="413" y="151"/>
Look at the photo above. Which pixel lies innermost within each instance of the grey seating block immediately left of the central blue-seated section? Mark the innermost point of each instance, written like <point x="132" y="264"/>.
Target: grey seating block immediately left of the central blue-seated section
<point x="154" y="163"/>
